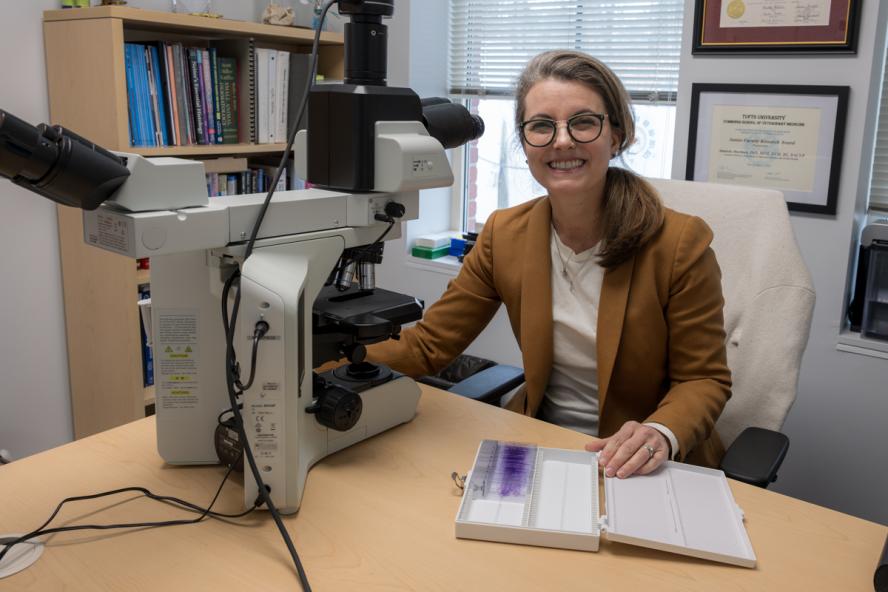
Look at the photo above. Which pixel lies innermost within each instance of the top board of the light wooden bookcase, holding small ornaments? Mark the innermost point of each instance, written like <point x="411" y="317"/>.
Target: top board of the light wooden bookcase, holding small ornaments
<point x="165" y="22"/>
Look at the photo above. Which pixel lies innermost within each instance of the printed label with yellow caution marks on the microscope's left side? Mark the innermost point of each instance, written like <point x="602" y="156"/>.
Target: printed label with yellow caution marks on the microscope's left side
<point x="176" y="358"/>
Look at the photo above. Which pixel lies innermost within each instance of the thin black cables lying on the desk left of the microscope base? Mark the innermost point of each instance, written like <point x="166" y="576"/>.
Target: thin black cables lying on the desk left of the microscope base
<point x="174" y="501"/>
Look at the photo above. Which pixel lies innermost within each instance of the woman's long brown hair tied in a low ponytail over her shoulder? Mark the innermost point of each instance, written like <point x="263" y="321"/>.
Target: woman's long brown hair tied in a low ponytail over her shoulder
<point x="632" y="210"/>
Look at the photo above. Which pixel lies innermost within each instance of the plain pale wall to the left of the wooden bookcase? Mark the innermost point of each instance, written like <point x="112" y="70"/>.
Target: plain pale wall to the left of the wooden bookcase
<point x="35" y="408"/>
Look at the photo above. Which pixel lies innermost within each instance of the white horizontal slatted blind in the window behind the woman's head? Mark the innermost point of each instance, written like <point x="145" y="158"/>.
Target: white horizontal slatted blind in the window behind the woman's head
<point x="492" y="40"/>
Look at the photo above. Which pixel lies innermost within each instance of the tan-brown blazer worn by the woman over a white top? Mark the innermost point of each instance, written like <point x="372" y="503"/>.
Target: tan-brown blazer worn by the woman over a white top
<point x="661" y="354"/>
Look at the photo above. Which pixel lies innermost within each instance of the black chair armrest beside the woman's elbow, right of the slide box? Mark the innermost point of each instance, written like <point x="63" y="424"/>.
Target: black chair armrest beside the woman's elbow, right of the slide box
<point x="755" y="456"/>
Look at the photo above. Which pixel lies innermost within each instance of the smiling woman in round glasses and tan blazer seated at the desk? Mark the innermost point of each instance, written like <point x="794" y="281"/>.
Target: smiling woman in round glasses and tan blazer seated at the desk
<point x="615" y="300"/>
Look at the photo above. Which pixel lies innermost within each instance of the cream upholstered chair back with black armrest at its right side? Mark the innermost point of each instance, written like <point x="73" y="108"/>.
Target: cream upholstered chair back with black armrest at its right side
<point x="769" y="302"/>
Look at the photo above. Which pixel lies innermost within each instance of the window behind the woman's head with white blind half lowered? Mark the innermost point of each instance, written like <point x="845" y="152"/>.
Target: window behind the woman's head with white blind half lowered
<point x="492" y="40"/>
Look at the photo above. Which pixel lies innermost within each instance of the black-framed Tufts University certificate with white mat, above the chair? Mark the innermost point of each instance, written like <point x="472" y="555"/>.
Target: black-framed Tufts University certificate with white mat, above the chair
<point x="776" y="136"/>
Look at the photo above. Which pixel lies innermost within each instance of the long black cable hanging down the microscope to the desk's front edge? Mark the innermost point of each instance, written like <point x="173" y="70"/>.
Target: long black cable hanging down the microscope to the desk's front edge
<point x="231" y="321"/>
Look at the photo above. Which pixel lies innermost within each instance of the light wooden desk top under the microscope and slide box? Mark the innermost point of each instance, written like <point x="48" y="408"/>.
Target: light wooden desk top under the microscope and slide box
<point x="380" y="516"/>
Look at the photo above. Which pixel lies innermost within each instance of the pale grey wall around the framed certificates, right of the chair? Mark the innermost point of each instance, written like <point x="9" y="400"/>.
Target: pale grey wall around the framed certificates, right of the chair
<point x="838" y="427"/>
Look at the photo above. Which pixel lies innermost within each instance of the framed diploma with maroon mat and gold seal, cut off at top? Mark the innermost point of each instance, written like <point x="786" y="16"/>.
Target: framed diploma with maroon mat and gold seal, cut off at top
<point x="776" y="26"/>
